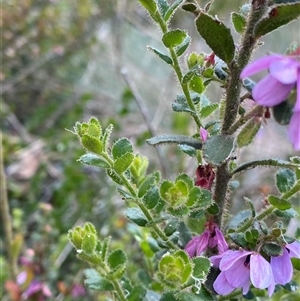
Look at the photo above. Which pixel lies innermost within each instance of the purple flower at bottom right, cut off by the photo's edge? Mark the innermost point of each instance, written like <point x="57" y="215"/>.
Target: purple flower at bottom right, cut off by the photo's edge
<point x="282" y="267"/>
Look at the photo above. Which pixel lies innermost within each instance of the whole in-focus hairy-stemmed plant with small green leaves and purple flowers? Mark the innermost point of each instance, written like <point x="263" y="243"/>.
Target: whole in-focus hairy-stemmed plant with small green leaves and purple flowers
<point x="228" y="261"/>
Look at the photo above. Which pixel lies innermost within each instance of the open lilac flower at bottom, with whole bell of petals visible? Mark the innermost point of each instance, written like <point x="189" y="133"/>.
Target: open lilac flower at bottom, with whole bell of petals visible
<point x="240" y="267"/>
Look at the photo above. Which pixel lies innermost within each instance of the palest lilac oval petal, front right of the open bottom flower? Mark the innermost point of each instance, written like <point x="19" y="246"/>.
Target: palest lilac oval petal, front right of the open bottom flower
<point x="260" y="271"/>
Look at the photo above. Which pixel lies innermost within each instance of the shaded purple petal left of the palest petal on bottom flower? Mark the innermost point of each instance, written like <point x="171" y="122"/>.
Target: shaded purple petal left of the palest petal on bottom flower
<point x="239" y="275"/>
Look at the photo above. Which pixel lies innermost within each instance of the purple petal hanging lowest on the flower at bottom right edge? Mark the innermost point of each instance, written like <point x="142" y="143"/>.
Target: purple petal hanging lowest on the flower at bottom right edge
<point x="282" y="268"/>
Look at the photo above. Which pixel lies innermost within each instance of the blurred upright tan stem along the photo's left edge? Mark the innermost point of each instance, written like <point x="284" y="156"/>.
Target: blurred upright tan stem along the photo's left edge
<point x="6" y="217"/>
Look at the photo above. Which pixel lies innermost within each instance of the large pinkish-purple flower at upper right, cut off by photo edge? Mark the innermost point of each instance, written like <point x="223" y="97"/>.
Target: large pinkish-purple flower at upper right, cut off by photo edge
<point x="273" y="89"/>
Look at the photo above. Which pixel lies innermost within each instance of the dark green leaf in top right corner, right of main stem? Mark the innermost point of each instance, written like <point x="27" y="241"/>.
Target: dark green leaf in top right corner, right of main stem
<point x="278" y="16"/>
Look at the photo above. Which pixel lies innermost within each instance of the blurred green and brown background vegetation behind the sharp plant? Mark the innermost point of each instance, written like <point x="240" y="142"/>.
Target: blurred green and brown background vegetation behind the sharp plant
<point x="61" y="62"/>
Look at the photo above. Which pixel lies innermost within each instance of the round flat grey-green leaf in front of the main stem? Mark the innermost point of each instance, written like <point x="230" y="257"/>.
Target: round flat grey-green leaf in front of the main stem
<point x="217" y="148"/>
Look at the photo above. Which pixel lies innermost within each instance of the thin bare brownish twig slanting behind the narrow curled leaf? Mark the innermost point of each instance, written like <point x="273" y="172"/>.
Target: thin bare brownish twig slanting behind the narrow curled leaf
<point x="145" y="113"/>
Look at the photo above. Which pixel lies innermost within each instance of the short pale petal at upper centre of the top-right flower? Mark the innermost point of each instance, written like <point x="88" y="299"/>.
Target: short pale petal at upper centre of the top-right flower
<point x="285" y="70"/>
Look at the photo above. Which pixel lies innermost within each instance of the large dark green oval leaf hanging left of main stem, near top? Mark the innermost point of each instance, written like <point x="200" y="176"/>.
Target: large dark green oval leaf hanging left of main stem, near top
<point x="217" y="36"/>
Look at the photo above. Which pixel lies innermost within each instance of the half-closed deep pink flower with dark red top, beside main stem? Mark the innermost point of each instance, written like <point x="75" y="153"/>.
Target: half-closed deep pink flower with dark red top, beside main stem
<point x="211" y="237"/>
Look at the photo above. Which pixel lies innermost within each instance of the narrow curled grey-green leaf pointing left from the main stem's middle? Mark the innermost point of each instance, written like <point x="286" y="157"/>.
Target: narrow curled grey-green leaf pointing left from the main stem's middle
<point x="177" y="139"/>
